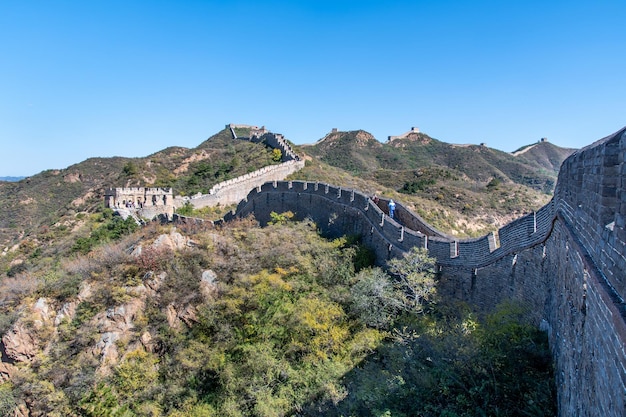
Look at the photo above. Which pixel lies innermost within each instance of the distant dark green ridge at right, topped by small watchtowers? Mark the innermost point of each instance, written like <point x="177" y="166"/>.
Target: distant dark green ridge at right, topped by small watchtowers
<point x="361" y="154"/>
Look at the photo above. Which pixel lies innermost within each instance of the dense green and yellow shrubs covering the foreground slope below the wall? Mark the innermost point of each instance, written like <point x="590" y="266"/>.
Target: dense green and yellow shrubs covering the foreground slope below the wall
<point x="271" y="321"/>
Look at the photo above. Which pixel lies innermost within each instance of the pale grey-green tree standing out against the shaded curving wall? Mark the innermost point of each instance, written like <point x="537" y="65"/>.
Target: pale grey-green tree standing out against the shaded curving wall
<point x="416" y="277"/>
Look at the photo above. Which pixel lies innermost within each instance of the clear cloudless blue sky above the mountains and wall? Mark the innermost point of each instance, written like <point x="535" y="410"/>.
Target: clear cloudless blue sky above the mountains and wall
<point x="103" y="78"/>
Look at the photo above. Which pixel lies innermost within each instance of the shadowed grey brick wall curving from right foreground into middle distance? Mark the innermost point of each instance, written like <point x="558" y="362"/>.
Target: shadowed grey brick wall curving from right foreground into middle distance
<point x="566" y="262"/>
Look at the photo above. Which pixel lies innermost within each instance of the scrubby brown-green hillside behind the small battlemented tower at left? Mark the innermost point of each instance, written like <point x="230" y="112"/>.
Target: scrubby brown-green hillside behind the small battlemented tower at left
<point x="53" y="198"/>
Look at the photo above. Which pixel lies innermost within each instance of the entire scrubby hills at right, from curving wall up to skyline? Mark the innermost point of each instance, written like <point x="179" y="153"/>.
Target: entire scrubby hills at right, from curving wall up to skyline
<point x="465" y="190"/>
